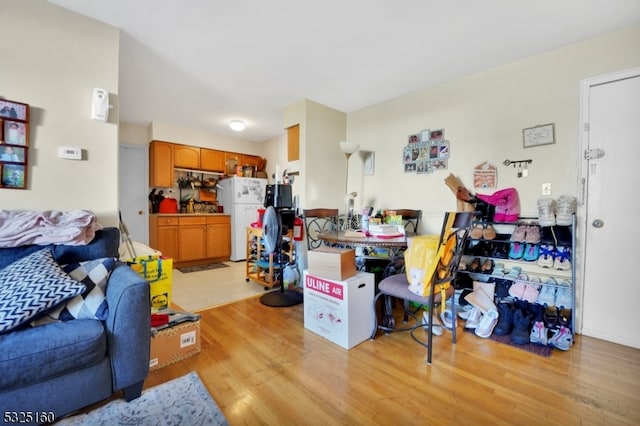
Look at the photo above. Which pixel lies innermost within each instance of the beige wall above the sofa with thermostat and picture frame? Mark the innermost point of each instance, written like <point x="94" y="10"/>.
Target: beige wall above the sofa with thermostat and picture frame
<point x="52" y="59"/>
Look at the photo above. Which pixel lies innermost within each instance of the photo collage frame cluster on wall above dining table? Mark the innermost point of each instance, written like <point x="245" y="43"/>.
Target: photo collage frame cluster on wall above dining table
<point x="426" y="152"/>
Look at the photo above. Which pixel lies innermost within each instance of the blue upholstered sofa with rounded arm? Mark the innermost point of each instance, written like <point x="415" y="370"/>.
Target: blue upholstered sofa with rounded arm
<point x="65" y="366"/>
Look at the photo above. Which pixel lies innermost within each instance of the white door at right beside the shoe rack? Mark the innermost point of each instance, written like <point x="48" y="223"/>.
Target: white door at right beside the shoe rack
<point x="608" y="232"/>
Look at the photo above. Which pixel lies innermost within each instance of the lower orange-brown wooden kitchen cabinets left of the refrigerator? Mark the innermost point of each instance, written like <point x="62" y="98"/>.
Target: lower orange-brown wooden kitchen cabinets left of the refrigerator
<point x="191" y="239"/>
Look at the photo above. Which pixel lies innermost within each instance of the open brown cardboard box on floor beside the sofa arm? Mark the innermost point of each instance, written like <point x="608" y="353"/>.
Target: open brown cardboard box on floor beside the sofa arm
<point x="174" y="343"/>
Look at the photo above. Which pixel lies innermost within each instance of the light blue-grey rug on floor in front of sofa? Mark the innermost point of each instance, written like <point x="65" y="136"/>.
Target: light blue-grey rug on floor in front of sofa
<point x="182" y="401"/>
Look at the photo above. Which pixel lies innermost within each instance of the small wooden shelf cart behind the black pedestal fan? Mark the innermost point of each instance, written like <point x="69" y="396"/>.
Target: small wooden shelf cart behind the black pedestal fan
<point x="264" y="268"/>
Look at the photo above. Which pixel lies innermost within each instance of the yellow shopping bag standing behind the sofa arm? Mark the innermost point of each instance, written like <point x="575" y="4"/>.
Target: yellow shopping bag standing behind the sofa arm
<point x="158" y="272"/>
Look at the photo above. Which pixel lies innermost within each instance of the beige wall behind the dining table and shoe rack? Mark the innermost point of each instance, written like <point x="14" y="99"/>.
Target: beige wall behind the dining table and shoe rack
<point x="483" y="116"/>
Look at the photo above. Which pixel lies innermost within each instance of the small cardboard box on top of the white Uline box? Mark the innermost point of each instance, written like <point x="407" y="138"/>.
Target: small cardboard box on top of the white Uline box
<point x="332" y="263"/>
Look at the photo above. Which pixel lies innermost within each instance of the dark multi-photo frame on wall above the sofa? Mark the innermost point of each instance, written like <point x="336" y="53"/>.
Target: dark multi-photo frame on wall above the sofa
<point x="14" y="144"/>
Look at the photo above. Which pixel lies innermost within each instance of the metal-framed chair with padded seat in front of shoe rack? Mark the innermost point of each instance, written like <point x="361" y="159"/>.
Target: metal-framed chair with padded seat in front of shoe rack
<point x="397" y="286"/>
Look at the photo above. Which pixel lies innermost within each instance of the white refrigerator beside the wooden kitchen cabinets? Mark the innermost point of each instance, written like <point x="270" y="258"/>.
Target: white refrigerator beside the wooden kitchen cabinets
<point x="241" y="198"/>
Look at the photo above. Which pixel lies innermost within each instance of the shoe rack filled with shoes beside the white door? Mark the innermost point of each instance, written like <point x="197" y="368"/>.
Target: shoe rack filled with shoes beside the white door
<point x="525" y="261"/>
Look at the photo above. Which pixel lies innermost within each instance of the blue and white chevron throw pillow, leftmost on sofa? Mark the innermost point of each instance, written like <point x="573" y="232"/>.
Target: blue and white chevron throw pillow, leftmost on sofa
<point x="33" y="285"/>
